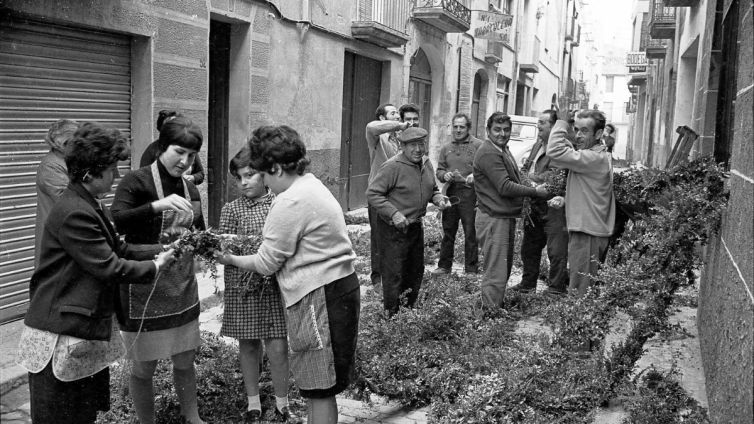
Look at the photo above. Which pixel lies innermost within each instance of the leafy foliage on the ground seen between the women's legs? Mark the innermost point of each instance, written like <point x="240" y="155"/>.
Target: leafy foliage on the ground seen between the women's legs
<point x="220" y="389"/>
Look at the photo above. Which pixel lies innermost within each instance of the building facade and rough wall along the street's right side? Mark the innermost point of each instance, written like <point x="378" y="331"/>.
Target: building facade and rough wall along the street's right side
<point x="695" y="99"/>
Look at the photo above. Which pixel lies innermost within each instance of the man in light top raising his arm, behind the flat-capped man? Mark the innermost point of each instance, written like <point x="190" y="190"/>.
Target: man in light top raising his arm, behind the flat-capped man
<point x="382" y="141"/>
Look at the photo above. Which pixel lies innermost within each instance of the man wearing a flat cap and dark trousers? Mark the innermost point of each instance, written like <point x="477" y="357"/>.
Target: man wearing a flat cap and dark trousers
<point x="399" y="193"/>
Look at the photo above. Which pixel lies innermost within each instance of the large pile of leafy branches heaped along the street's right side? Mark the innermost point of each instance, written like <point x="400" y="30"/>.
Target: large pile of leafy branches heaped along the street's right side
<point x="469" y="365"/>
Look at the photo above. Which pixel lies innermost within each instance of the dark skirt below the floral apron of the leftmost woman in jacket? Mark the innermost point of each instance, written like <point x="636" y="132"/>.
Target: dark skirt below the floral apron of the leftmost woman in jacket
<point x="75" y="402"/>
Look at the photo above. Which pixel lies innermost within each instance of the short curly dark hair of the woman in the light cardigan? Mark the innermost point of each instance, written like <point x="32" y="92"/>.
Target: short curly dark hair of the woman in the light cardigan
<point x="281" y="145"/>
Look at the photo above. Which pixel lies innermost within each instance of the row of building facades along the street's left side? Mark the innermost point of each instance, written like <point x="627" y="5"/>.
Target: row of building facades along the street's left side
<point x="320" y="66"/>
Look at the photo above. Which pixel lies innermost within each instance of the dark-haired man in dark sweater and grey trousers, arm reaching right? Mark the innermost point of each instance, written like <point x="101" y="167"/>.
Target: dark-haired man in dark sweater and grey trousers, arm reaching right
<point x="499" y="200"/>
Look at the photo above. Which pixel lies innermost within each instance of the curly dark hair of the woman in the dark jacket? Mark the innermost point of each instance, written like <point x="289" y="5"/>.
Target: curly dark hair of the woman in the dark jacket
<point x="94" y="148"/>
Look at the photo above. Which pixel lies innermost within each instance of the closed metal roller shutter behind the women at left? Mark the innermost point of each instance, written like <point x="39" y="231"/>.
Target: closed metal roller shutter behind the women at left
<point x="47" y="72"/>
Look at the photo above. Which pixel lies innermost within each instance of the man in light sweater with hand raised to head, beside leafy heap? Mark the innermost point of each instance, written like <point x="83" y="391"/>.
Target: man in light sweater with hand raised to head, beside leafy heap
<point x="589" y="202"/>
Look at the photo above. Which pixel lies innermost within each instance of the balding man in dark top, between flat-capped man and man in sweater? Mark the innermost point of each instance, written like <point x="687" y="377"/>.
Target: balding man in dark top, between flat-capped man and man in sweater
<point x="454" y="168"/>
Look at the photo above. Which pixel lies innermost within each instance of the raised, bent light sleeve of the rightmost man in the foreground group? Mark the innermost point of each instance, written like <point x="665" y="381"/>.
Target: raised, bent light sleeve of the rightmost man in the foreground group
<point x="563" y="155"/>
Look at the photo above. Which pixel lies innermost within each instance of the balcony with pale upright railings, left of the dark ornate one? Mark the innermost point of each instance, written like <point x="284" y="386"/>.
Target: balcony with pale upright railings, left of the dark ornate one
<point x="382" y="22"/>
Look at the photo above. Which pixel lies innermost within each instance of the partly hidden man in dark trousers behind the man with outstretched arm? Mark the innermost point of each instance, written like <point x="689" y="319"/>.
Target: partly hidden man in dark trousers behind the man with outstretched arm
<point x="548" y="224"/>
